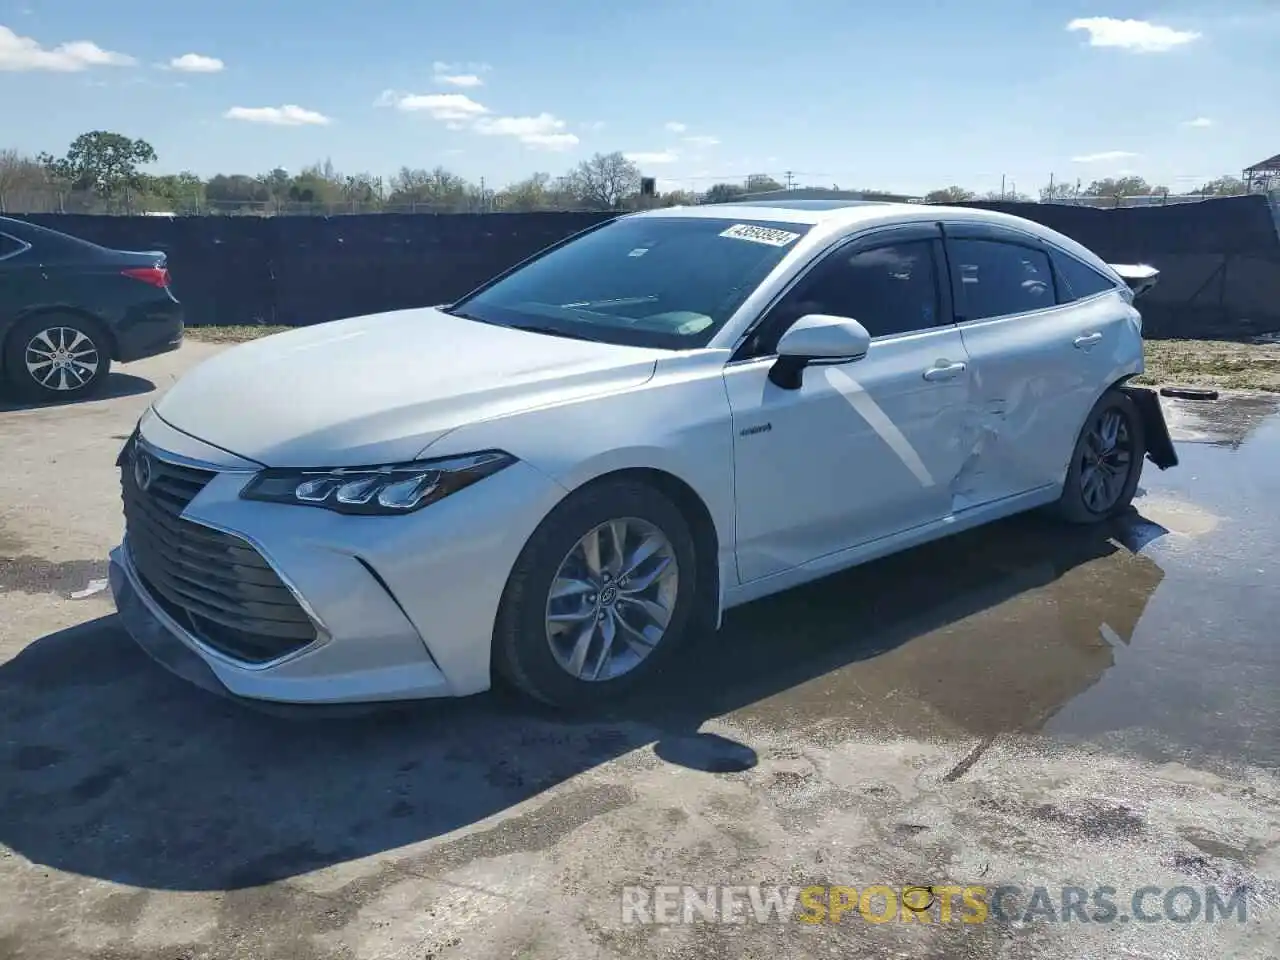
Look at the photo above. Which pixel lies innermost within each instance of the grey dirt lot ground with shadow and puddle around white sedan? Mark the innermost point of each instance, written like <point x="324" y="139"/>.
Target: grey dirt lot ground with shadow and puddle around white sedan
<point x="1023" y="706"/>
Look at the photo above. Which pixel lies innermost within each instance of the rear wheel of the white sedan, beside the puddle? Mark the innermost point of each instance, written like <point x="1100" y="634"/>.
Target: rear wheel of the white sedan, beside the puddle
<point x="1082" y="502"/>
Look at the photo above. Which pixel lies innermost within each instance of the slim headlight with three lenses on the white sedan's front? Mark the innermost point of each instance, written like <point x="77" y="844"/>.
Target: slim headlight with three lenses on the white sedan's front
<point x="396" y="488"/>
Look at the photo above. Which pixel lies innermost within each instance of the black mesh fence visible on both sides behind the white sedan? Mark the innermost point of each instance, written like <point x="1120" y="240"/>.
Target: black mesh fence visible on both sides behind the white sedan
<point x="1219" y="259"/>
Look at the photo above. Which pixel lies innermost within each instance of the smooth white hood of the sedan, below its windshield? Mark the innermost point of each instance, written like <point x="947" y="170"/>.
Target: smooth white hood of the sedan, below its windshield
<point x="382" y="388"/>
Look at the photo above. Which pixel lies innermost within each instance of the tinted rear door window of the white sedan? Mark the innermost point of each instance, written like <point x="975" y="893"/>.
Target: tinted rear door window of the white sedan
<point x="994" y="278"/>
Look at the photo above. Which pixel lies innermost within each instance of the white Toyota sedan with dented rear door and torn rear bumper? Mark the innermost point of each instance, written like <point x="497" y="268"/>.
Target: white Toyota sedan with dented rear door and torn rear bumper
<point x="564" y="476"/>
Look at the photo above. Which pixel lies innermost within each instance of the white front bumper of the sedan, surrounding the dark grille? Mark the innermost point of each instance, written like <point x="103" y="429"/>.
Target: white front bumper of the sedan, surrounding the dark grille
<point x="404" y="607"/>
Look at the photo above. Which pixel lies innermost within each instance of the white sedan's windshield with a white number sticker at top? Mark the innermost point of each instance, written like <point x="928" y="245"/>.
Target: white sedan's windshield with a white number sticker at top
<point x="647" y="282"/>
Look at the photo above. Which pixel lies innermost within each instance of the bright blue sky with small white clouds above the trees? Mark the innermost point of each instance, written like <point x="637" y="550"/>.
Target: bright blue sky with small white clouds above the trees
<point x="907" y="95"/>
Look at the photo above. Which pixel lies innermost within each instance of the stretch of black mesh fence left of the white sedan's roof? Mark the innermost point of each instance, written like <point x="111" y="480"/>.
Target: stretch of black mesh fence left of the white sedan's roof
<point x="300" y="271"/>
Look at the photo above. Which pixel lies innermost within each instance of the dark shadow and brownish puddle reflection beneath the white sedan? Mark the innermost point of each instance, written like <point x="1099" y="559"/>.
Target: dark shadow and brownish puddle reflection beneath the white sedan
<point x="117" y="770"/>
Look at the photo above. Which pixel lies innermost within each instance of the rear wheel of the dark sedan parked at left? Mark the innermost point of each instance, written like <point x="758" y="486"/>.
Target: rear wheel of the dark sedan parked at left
<point x="56" y="358"/>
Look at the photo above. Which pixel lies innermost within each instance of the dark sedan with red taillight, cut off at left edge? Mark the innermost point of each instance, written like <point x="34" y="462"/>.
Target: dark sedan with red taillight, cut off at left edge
<point x="70" y="308"/>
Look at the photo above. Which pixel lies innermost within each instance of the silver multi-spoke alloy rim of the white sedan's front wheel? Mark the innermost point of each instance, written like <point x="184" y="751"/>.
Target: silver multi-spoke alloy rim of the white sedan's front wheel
<point x="612" y="600"/>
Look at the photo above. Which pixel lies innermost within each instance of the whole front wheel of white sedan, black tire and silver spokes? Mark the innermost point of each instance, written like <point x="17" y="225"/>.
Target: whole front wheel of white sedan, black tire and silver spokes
<point x="537" y="656"/>
